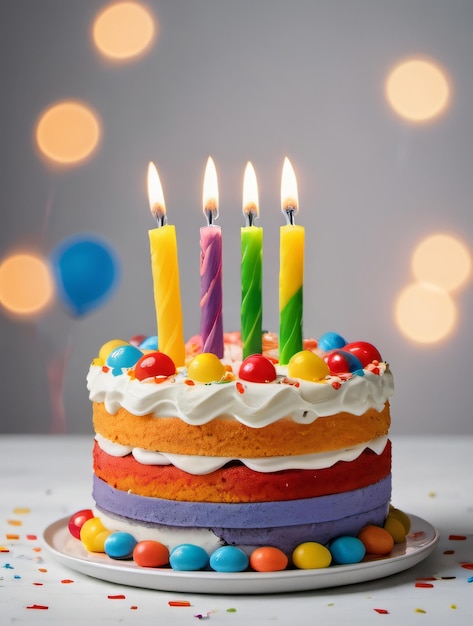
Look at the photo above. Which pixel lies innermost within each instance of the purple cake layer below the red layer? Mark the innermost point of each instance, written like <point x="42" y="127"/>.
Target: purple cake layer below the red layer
<point x="261" y="515"/>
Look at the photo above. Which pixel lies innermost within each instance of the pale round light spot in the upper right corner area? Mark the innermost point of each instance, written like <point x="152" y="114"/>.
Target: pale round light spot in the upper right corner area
<point x="417" y="90"/>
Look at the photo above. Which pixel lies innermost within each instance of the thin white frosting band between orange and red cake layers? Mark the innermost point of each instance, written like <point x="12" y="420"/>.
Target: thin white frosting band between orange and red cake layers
<point x="204" y="464"/>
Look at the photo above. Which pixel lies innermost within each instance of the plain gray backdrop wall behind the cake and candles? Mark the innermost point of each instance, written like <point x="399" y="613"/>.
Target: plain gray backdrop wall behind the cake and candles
<point x="248" y="80"/>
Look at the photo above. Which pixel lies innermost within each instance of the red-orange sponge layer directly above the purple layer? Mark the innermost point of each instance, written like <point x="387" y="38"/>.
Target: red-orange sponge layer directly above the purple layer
<point x="236" y="483"/>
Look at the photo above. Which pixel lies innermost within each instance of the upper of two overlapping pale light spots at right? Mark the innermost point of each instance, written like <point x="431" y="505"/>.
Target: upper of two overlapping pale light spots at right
<point x="442" y="260"/>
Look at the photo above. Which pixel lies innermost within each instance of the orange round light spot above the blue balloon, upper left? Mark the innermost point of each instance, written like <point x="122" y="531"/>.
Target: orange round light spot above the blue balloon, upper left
<point x="68" y="132"/>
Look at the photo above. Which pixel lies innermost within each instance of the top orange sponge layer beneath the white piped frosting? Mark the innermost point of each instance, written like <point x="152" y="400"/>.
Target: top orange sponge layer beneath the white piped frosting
<point x="229" y="438"/>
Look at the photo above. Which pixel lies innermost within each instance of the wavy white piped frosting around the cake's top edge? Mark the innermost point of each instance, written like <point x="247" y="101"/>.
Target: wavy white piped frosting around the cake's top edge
<point x="260" y="404"/>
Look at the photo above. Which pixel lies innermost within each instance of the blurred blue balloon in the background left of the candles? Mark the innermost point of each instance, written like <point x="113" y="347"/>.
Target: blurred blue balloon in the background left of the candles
<point x="86" y="271"/>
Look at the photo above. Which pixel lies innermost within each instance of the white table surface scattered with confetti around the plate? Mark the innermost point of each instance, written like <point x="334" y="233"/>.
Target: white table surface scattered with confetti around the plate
<point x="44" y="478"/>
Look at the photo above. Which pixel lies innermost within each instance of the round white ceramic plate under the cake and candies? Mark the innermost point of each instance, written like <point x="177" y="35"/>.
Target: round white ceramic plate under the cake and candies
<point x="70" y="552"/>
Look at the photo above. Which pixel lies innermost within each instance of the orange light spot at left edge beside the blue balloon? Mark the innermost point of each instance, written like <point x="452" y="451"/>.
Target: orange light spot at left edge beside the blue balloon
<point x="26" y="284"/>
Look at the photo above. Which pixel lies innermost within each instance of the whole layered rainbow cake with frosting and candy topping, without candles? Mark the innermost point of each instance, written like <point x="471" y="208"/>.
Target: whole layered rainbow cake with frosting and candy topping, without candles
<point x="236" y="452"/>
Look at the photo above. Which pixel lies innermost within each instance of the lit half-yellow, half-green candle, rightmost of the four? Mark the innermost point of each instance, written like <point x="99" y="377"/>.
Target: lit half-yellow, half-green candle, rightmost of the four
<point x="291" y="272"/>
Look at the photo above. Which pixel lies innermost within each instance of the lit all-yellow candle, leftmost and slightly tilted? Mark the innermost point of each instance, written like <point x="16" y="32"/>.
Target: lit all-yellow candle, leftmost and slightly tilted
<point x="165" y="269"/>
